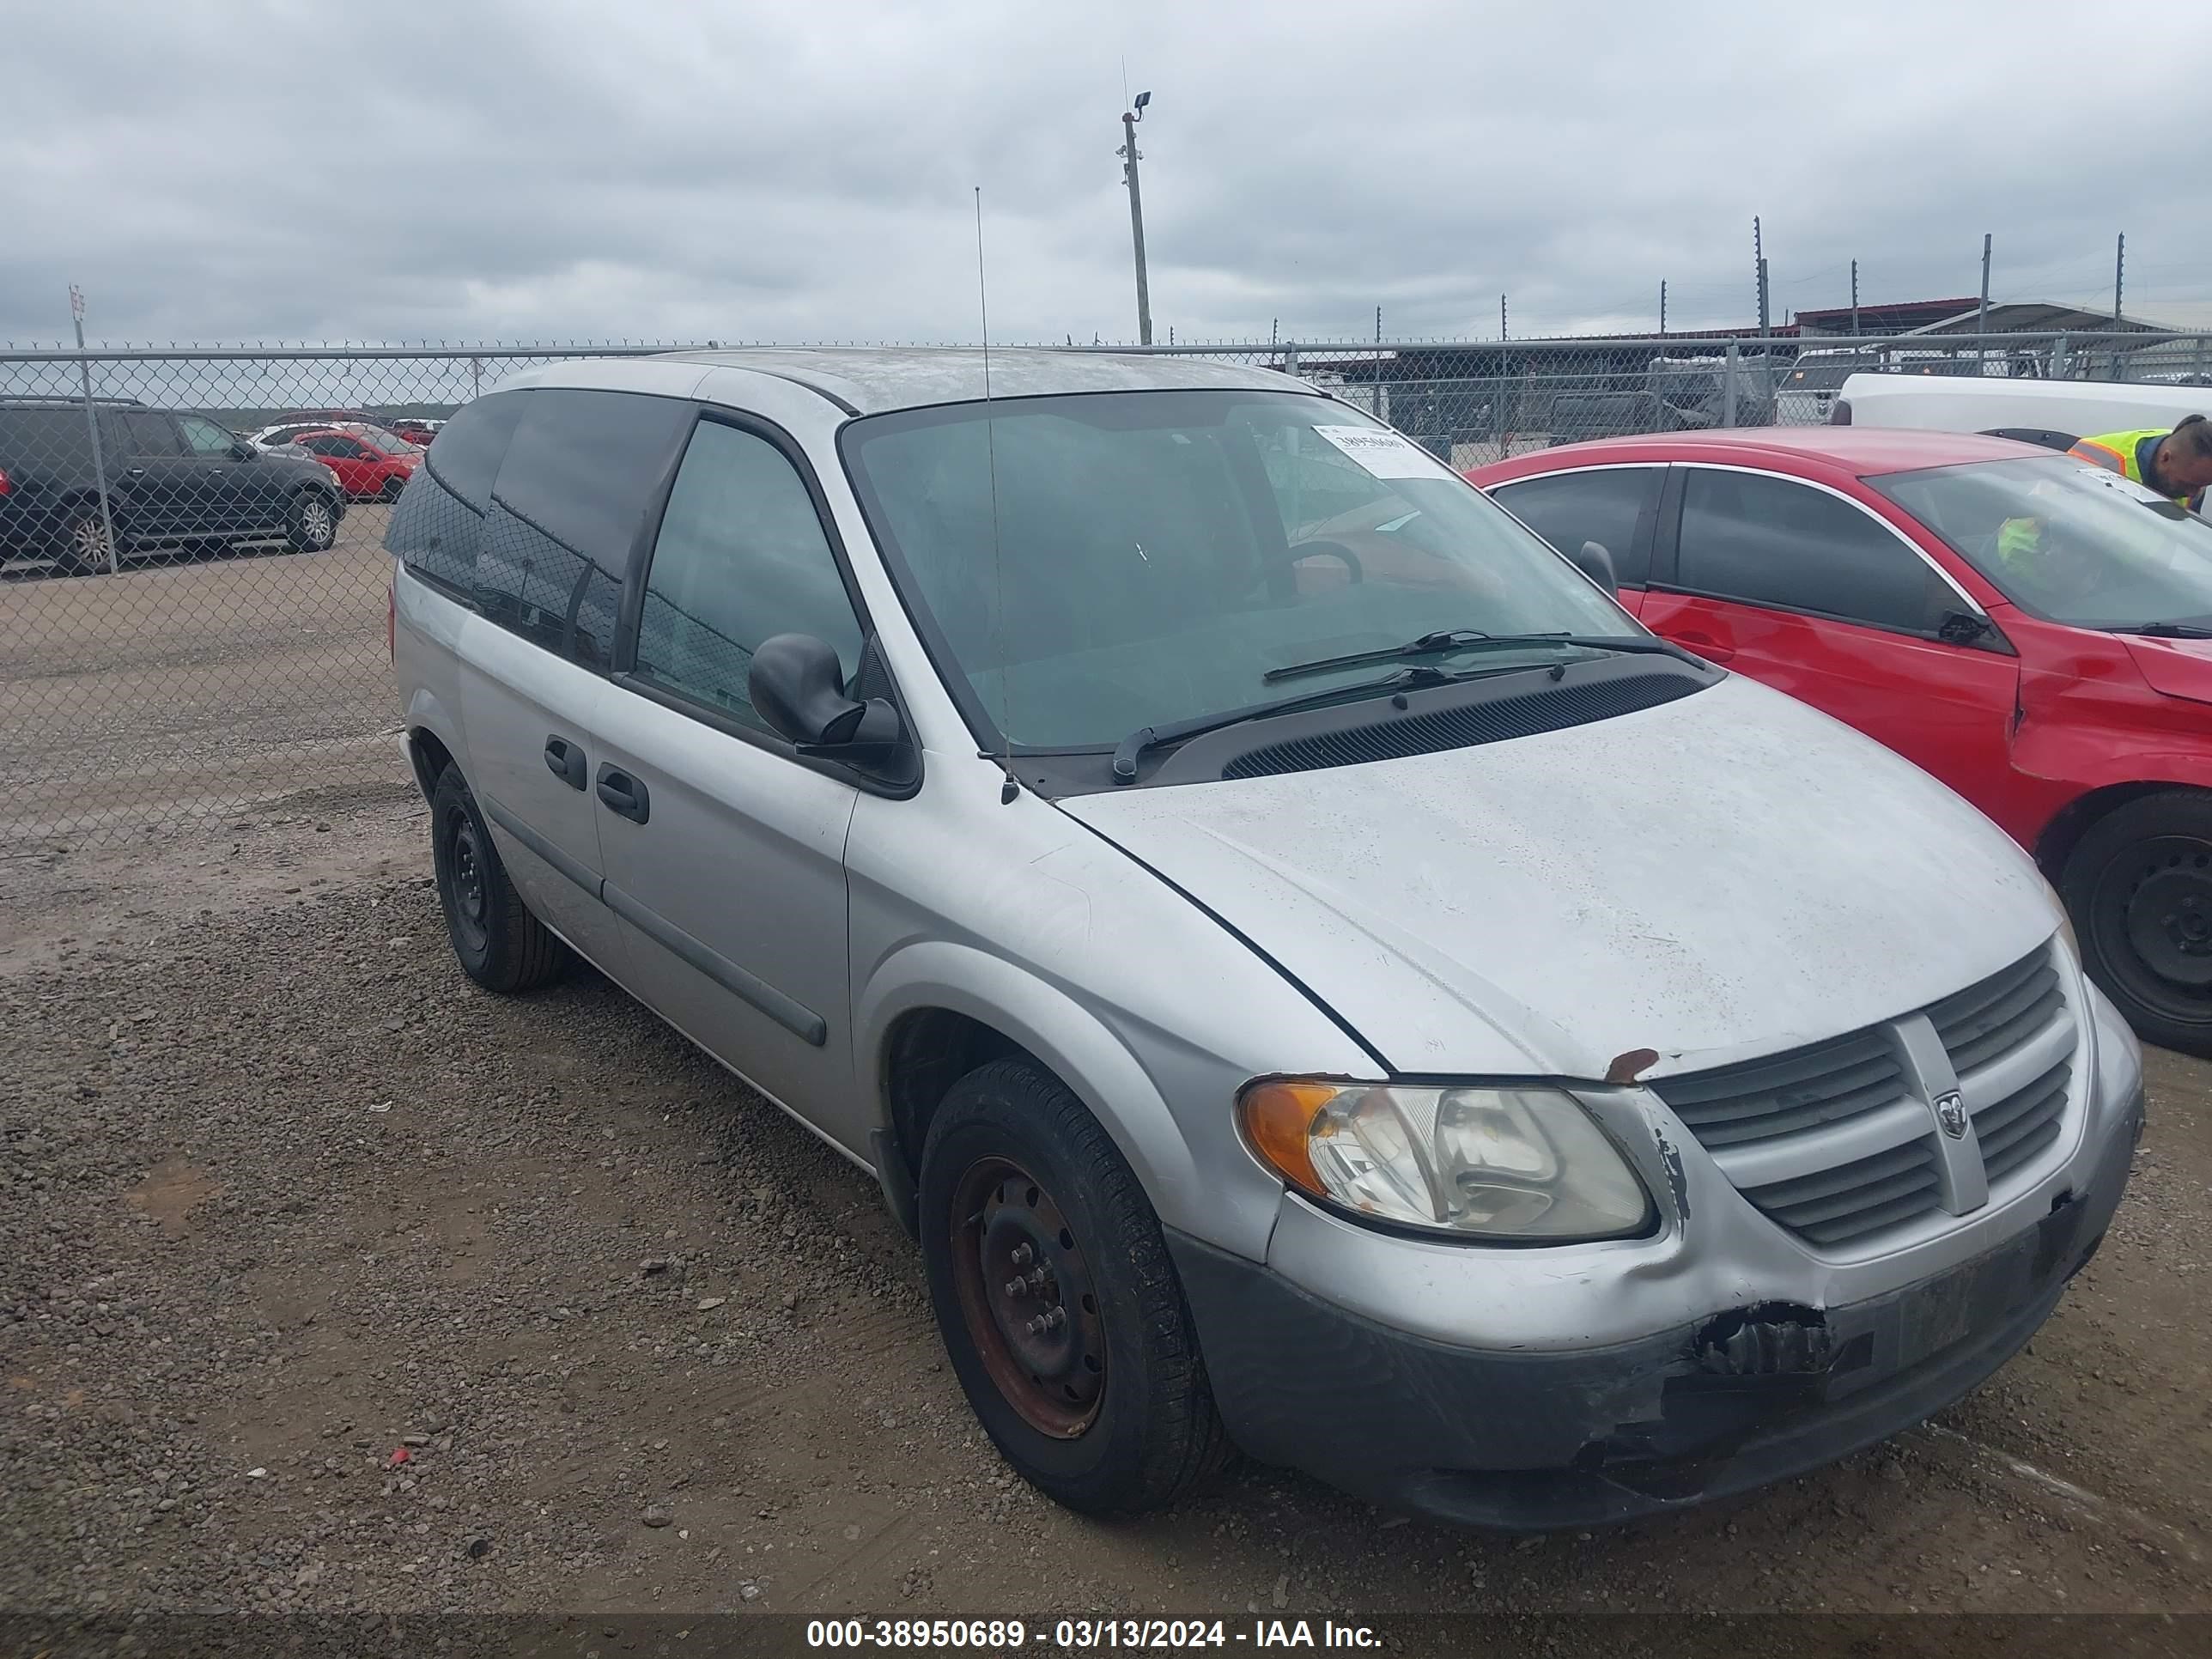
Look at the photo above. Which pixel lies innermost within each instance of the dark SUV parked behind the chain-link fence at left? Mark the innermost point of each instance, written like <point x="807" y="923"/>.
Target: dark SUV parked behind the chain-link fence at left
<point x="174" y="481"/>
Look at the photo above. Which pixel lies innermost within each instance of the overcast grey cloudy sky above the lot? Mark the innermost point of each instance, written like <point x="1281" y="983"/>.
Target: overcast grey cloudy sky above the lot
<point x="802" y="171"/>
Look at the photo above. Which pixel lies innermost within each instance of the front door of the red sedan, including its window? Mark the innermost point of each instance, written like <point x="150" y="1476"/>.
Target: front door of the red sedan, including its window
<point x="1808" y="592"/>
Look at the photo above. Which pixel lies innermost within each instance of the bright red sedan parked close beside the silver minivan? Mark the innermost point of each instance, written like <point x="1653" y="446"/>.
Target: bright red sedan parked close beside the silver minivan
<point x="2034" y="632"/>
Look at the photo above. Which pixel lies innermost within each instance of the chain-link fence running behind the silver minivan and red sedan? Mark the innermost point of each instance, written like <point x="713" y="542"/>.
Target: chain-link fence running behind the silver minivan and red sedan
<point x="191" y="541"/>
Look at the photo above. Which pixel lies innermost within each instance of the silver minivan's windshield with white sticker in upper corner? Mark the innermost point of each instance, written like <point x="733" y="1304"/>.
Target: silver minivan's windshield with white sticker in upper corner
<point x="1094" y="565"/>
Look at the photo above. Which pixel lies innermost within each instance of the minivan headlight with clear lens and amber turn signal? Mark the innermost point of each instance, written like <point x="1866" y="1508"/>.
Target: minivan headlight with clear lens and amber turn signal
<point x="1479" y="1162"/>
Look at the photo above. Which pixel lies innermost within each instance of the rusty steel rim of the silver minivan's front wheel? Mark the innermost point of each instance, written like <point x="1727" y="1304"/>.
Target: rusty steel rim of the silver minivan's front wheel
<point x="1027" y="1300"/>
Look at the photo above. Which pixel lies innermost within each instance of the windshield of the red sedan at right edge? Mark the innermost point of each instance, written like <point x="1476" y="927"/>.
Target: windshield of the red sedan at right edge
<point x="2067" y="541"/>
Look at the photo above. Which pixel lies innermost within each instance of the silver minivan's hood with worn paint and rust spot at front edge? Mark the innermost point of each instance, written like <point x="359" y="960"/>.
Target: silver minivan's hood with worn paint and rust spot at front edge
<point x="1713" y="879"/>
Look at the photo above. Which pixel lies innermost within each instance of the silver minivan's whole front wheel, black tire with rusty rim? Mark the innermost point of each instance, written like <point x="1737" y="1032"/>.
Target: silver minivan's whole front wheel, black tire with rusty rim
<point x="1058" y="1302"/>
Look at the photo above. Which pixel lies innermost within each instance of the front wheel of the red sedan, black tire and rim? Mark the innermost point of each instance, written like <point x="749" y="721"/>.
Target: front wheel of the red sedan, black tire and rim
<point x="2140" y="895"/>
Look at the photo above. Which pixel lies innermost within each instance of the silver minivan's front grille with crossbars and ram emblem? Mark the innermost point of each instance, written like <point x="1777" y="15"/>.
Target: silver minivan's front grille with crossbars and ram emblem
<point x="1839" y="1140"/>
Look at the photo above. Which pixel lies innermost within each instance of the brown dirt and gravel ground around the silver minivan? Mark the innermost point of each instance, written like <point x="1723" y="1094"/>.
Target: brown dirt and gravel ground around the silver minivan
<point x="284" y="1198"/>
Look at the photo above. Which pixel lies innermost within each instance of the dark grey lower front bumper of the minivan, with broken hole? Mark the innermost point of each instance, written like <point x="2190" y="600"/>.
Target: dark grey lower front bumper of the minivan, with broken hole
<point x="1532" y="1441"/>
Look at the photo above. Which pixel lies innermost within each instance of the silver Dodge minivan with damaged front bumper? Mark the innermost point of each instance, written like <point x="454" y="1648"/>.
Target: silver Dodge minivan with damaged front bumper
<point x="1308" y="968"/>
